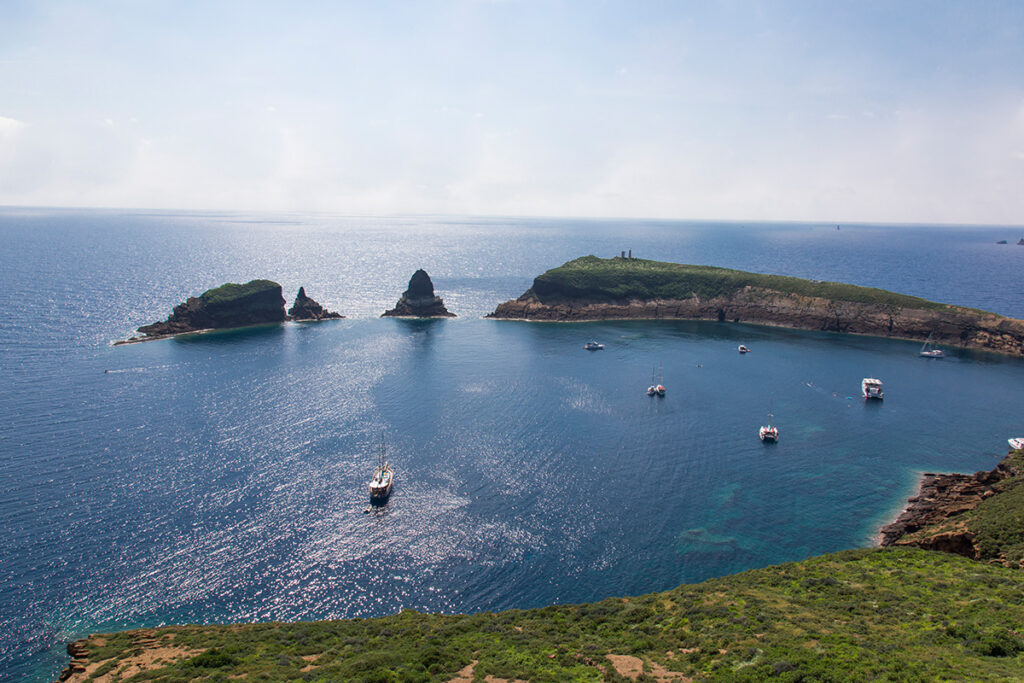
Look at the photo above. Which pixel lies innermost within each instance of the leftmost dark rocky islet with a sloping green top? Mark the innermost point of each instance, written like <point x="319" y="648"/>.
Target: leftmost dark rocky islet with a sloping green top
<point x="231" y="306"/>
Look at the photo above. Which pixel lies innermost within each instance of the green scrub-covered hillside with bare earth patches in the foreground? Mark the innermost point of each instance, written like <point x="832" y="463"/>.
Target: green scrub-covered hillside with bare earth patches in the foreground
<point x="895" y="614"/>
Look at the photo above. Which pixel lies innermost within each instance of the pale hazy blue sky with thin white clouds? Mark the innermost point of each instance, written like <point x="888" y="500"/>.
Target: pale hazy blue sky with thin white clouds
<point x="784" y="110"/>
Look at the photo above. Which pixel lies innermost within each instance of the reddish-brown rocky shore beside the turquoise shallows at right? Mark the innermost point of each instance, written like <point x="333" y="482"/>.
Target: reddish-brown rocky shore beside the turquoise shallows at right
<point x="943" y="498"/>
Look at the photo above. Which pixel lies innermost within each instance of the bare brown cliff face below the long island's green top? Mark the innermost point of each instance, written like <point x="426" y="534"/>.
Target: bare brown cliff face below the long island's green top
<point x="951" y="326"/>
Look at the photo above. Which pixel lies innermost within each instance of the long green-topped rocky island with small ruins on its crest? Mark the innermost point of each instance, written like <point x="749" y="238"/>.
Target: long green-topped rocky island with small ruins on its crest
<point x="598" y="289"/>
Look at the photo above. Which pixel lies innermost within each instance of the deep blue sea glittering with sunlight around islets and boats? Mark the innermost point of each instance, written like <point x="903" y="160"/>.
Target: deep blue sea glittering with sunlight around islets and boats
<point x="223" y="478"/>
